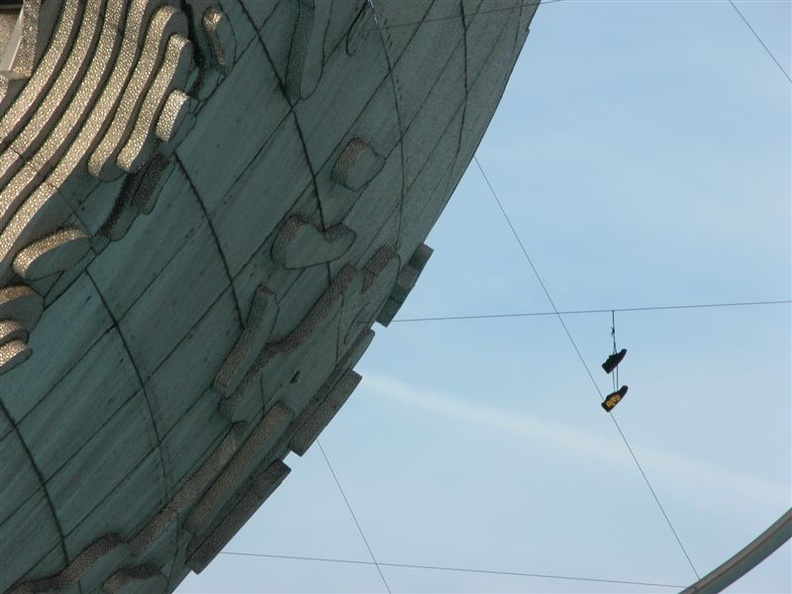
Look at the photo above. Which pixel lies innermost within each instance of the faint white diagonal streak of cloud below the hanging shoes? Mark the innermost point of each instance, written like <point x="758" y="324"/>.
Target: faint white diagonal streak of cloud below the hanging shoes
<point x="689" y="479"/>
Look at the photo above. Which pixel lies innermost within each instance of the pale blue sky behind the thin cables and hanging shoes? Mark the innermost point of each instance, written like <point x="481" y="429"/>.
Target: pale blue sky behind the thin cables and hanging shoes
<point x="642" y="151"/>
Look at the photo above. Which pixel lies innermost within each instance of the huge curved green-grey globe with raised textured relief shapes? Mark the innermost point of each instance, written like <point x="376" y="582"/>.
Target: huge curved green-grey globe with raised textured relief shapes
<point x="204" y="208"/>
